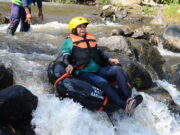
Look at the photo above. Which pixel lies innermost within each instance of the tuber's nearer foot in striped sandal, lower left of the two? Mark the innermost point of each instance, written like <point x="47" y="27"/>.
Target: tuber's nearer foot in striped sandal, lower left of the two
<point x="130" y="106"/>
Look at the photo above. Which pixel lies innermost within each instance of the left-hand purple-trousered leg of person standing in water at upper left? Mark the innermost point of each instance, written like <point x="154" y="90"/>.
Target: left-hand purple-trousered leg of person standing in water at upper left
<point x="15" y="18"/>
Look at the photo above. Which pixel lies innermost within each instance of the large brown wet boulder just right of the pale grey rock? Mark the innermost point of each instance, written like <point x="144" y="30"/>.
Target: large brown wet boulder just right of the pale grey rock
<point x="150" y="57"/>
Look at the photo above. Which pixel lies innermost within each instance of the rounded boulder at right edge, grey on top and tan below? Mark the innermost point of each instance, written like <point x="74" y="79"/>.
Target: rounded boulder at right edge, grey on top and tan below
<point x="172" y="38"/>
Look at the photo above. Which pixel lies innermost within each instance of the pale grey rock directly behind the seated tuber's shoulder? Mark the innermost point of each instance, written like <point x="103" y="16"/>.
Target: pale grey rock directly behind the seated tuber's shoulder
<point x="116" y="43"/>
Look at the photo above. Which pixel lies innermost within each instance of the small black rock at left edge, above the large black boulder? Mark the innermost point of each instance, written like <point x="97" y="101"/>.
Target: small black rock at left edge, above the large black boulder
<point x="6" y="77"/>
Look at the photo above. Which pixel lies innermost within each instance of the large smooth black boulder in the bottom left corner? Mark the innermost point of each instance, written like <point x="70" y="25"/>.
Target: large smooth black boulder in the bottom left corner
<point x="16" y="106"/>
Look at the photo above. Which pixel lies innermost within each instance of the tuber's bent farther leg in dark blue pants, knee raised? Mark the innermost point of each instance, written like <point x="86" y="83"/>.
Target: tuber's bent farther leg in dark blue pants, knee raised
<point x="117" y="74"/>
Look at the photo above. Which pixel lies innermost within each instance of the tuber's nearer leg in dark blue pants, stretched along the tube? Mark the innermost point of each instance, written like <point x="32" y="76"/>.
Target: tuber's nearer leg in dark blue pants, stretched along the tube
<point x="103" y="84"/>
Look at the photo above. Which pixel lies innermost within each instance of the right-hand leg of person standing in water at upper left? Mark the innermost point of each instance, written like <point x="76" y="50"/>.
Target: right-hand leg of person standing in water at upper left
<point x="24" y="25"/>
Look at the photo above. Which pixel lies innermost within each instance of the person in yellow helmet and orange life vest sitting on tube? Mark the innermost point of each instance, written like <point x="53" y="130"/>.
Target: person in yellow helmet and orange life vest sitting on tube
<point x="80" y="49"/>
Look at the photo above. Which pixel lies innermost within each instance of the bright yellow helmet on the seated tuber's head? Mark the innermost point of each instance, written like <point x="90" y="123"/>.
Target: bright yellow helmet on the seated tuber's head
<point x="74" y="22"/>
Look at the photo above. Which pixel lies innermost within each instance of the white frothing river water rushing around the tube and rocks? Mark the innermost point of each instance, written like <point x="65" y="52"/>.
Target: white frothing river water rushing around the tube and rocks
<point x="29" y="54"/>
